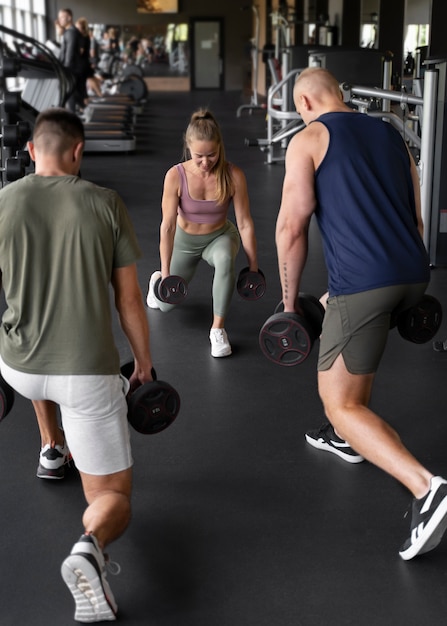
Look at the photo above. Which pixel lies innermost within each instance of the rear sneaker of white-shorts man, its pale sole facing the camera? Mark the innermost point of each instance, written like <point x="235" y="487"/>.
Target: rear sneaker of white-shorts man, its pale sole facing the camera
<point x="84" y="574"/>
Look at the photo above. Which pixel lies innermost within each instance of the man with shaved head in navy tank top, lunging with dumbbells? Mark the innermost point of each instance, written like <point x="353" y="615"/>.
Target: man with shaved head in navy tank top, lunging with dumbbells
<point x="355" y="173"/>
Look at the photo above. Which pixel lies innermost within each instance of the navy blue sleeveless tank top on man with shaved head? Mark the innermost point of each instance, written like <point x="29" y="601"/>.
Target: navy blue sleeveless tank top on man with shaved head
<point x="365" y="207"/>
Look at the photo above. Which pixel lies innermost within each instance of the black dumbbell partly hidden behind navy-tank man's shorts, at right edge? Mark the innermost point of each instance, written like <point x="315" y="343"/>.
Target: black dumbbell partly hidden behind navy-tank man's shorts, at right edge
<point x="421" y="322"/>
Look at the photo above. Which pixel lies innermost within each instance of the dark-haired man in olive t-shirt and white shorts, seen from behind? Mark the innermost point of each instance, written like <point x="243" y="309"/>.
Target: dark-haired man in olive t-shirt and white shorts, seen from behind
<point x="63" y="243"/>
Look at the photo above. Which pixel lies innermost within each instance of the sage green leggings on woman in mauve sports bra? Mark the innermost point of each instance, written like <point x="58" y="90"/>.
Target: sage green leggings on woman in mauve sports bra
<point x="219" y="249"/>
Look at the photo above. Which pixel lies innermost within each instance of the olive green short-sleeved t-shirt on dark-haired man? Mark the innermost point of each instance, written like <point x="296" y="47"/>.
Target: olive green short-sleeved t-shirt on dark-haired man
<point x="60" y="239"/>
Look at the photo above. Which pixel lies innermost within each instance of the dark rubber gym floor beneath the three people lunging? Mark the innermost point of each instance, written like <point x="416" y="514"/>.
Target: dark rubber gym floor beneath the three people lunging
<point x="236" y="520"/>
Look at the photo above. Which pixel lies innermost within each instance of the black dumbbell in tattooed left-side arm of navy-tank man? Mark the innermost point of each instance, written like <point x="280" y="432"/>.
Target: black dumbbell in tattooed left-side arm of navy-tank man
<point x="287" y="338"/>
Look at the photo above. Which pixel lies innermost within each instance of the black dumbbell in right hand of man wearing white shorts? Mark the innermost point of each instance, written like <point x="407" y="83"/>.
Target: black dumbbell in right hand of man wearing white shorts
<point x="152" y="407"/>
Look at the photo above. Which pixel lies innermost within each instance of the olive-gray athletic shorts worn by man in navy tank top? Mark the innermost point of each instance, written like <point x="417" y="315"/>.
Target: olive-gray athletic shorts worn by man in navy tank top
<point x="357" y="326"/>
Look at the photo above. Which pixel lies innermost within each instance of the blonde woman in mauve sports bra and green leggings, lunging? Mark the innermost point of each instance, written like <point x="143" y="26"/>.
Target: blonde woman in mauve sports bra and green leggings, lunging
<point x="196" y="198"/>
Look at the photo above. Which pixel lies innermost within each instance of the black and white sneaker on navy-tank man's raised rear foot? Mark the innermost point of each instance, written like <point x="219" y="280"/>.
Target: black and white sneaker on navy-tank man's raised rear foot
<point x="428" y="520"/>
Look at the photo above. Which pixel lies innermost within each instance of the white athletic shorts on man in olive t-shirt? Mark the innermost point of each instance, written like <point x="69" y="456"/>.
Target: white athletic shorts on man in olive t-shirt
<point x="94" y="416"/>
